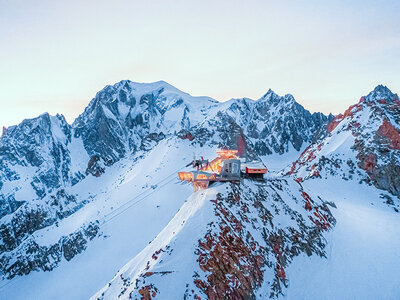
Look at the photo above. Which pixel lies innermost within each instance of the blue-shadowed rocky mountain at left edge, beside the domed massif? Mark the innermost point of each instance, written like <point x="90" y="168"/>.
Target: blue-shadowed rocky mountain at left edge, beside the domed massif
<point x="35" y="159"/>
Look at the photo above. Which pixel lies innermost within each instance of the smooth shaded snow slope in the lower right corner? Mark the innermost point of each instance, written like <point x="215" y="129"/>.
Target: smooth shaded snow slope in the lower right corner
<point x="363" y="260"/>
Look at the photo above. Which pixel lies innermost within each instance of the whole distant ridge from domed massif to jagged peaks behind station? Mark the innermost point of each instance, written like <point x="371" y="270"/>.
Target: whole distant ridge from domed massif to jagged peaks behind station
<point x="123" y="117"/>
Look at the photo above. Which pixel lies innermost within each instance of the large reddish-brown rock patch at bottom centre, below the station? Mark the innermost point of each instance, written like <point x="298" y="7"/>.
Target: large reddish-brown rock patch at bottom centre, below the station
<point x="234" y="268"/>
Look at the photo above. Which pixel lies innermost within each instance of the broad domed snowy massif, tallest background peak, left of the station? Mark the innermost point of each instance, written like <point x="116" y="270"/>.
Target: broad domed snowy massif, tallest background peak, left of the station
<point x="122" y="118"/>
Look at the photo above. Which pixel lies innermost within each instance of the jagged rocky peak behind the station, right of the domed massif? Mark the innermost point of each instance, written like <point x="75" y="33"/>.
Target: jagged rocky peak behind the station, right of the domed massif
<point x="276" y="124"/>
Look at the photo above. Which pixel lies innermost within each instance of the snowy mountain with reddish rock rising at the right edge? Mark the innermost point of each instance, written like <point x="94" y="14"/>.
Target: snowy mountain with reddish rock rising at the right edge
<point x="363" y="144"/>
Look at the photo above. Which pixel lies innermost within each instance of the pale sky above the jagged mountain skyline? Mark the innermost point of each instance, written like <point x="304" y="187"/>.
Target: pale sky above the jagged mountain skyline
<point x="55" y="55"/>
